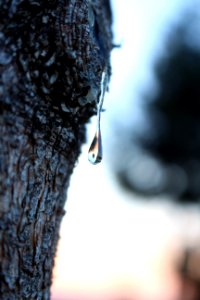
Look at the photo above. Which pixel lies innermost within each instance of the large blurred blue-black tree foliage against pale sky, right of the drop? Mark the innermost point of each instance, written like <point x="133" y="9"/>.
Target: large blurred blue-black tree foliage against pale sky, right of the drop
<point x="173" y="147"/>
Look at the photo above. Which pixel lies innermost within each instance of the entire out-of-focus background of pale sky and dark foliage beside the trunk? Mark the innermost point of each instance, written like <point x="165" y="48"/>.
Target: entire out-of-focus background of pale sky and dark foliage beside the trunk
<point x="132" y="224"/>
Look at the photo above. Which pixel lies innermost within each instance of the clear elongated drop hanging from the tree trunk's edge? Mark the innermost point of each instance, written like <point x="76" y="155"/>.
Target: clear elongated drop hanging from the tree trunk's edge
<point x="95" y="152"/>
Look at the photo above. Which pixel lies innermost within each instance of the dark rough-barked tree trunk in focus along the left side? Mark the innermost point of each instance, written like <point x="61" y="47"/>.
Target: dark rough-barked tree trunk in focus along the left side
<point x="52" y="55"/>
